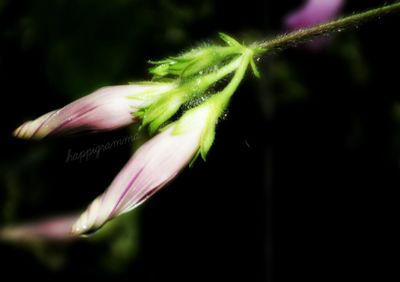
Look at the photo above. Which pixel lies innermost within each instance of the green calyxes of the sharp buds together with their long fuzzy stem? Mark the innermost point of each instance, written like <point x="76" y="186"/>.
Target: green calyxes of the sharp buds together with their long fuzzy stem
<point x="196" y="71"/>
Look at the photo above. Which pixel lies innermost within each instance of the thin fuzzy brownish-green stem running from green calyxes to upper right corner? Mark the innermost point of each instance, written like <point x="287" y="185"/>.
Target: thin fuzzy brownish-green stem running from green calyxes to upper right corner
<point x="339" y="25"/>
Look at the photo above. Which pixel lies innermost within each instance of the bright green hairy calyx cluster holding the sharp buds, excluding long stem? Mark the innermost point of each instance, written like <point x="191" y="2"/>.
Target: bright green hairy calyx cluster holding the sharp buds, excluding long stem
<point x="195" y="73"/>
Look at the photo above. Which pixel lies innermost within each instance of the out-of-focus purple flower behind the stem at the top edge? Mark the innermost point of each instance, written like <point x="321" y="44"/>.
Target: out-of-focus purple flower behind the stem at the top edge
<point x="313" y="12"/>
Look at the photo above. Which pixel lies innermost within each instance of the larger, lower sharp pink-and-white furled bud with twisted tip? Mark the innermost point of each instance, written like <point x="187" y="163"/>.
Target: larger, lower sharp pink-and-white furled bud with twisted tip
<point x="152" y="166"/>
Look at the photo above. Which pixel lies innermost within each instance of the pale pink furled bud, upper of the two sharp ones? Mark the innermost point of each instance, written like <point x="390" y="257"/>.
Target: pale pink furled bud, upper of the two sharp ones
<point x="106" y="109"/>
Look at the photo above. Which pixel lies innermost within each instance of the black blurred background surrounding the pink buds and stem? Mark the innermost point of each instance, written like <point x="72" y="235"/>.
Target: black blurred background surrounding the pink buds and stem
<point x="300" y="182"/>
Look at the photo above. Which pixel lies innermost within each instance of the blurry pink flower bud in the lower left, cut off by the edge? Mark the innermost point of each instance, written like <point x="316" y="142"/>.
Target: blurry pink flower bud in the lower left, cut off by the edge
<point x="54" y="229"/>
